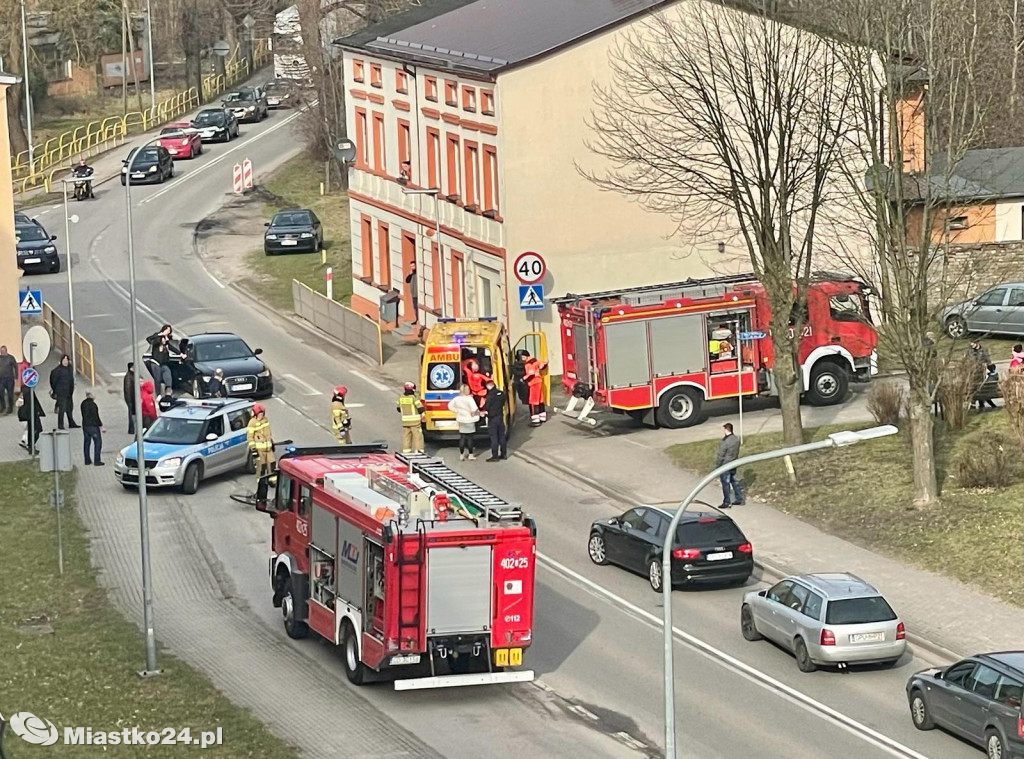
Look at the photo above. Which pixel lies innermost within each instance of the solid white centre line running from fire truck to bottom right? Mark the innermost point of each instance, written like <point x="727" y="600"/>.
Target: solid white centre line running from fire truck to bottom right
<point x="849" y="725"/>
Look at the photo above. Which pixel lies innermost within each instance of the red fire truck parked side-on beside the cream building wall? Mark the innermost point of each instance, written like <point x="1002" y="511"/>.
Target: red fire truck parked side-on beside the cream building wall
<point x="659" y="353"/>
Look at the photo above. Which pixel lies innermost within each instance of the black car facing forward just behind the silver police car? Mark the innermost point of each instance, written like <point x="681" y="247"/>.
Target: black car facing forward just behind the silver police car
<point x="195" y="360"/>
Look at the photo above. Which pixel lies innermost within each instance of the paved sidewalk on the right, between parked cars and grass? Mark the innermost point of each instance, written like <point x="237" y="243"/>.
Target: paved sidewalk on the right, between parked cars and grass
<point x="941" y="613"/>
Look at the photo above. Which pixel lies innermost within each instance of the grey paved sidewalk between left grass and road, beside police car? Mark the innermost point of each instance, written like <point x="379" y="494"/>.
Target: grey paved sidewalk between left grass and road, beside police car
<point x="199" y="620"/>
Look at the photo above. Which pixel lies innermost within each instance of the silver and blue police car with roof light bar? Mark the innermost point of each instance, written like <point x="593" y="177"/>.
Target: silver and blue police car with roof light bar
<point x="191" y="442"/>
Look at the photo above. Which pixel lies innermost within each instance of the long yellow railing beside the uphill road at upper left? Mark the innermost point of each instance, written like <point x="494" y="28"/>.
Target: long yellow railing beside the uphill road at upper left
<point x="58" y="154"/>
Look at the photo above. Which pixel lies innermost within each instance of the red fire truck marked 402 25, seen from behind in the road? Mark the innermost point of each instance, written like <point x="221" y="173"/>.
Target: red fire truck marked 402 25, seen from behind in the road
<point x="418" y="573"/>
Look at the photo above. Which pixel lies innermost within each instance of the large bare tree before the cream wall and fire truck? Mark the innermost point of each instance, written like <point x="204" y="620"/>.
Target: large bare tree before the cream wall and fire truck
<point x="724" y="119"/>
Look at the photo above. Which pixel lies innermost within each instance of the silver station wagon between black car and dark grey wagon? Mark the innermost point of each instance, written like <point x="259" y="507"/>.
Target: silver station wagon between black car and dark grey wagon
<point x="827" y="619"/>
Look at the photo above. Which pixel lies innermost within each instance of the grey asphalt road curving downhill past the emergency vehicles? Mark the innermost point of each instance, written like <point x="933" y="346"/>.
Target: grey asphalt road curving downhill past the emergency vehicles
<point x="599" y="645"/>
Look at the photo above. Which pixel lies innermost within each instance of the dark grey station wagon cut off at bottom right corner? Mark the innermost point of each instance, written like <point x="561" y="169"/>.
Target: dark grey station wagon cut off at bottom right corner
<point x="978" y="699"/>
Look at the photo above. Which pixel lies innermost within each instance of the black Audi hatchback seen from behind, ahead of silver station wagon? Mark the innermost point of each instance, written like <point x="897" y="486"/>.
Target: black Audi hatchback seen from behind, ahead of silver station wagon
<point x="709" y="546"/>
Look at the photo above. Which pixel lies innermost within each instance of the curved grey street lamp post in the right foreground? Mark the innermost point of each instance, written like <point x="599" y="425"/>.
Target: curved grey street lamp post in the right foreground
<point x="837" y="440"/>
